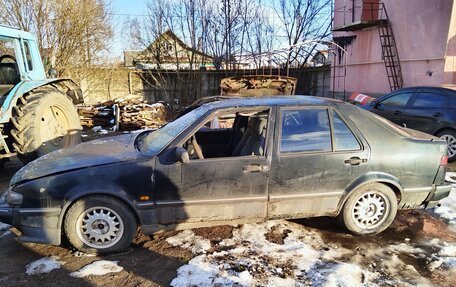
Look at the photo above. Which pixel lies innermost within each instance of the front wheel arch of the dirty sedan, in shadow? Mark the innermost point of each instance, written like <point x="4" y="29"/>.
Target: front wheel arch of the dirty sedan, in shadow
<point x="96" y="188"/>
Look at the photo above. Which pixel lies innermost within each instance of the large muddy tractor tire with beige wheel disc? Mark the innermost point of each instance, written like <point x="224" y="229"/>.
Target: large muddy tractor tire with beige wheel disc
<point x="45" y="120"/>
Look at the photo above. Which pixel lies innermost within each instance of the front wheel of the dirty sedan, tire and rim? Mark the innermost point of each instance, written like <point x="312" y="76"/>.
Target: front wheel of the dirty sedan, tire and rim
<point x="100" y="224"/>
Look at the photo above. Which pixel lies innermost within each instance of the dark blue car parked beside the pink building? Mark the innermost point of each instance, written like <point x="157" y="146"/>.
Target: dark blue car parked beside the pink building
<point x="428" y="109"/>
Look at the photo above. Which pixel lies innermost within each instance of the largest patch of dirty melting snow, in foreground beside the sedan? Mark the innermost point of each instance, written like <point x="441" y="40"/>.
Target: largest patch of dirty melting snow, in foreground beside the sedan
<point x="304" y="259"/>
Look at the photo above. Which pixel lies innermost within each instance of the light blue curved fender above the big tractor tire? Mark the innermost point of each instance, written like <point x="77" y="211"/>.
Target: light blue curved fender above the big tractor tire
<point x="67" y="86"/>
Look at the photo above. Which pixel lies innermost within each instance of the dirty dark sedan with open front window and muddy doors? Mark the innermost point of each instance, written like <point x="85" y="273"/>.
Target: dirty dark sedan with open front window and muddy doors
<point x="235" y="160"/>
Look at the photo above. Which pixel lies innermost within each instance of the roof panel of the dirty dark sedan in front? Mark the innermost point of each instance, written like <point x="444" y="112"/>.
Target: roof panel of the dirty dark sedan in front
<point x="297" y="100"/>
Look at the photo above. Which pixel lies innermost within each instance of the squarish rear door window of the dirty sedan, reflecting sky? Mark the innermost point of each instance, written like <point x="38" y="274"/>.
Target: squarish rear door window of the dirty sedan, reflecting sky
<point x="305" y="130"/>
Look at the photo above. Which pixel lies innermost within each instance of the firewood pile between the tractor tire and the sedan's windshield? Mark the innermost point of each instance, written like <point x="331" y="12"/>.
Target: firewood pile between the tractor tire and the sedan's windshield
<point x="128" y="113"/>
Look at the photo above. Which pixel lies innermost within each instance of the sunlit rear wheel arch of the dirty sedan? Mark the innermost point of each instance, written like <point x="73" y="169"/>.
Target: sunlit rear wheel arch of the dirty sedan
<point x="370" y="177"/>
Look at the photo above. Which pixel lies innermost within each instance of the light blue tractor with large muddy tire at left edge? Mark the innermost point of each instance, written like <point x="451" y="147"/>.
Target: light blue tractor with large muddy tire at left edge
<point x="37" y="114"/>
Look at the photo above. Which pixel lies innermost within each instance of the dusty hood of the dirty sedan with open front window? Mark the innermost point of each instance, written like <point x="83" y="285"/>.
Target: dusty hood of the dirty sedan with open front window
<point x="97" y="152"/>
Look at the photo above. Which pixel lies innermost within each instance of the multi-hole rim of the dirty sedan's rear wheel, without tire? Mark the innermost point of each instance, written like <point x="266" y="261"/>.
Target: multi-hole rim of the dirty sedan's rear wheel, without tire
<point x="370" y="210"/>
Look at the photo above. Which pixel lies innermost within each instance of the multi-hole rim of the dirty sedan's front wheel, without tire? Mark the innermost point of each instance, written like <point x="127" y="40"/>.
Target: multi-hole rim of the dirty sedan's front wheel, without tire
<point x="99" y="227"/>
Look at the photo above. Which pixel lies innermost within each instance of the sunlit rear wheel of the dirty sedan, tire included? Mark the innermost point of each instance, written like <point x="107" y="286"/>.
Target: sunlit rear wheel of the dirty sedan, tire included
<point x="369" y="209"/>
